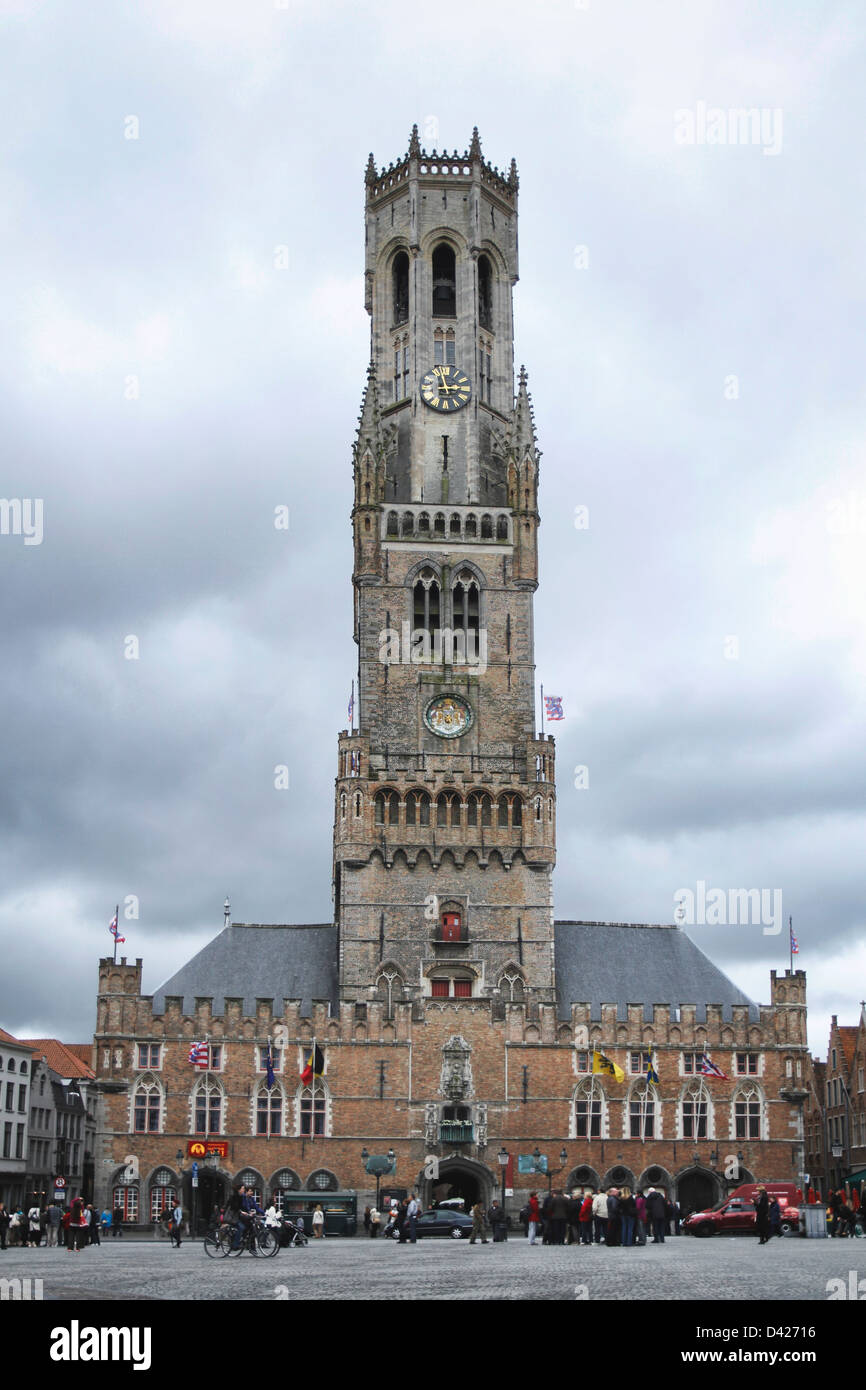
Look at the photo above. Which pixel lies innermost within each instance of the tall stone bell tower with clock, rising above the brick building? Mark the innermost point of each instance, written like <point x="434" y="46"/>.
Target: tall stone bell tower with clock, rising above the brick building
<point x="446" y="817"/>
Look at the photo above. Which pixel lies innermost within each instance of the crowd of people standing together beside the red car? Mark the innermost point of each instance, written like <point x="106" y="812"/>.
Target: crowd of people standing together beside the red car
<point x="601" y="1218"/>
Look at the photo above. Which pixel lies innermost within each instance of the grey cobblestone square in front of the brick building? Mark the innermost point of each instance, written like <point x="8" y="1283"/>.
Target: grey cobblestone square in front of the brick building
<point x="733" y="1268"/>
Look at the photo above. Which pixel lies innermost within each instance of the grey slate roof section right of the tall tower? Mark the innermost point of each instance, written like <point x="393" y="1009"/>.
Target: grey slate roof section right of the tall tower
<point x="616" y="963"/>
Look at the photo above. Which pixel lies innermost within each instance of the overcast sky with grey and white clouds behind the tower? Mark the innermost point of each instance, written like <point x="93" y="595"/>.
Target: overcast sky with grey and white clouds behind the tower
<point x="692" y="318"/>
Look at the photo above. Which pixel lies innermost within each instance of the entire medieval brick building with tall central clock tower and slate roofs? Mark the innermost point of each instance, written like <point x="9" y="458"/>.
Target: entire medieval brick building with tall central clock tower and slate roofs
<point x="457" y="1021"/>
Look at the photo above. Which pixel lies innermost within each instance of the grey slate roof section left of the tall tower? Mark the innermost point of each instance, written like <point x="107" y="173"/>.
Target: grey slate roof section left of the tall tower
<point x="259" y="963"/>
